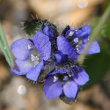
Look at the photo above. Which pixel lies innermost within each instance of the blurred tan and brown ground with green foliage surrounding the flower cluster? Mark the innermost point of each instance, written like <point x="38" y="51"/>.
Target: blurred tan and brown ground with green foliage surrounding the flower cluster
<point x="18" y="93"/>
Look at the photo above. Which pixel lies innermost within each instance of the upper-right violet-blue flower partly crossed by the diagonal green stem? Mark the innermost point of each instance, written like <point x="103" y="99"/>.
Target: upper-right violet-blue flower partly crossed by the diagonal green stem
<point x="72" y="42"/>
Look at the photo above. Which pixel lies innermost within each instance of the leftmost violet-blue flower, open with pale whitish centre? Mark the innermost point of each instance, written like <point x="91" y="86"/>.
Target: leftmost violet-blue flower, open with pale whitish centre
<point x="30" y="55"/>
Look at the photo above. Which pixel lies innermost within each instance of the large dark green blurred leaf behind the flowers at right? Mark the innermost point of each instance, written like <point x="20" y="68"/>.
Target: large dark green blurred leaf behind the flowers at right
<point x="98" y="65"/>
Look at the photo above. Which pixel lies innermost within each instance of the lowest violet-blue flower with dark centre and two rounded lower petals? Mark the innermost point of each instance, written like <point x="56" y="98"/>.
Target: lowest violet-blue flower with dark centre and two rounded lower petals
<point x="65" y="81"/>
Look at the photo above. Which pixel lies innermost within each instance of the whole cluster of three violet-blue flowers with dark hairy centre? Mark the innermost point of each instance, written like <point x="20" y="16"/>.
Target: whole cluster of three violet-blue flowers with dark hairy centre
<point x="53" y="58"/>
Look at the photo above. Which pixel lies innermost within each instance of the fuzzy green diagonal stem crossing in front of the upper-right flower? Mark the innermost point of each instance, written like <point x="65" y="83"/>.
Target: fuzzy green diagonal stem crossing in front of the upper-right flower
<point x="95" y="34"/>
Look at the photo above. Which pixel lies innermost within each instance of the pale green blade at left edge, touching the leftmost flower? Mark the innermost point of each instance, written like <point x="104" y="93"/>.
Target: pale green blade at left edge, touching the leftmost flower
<point x="5" y="48"/>
